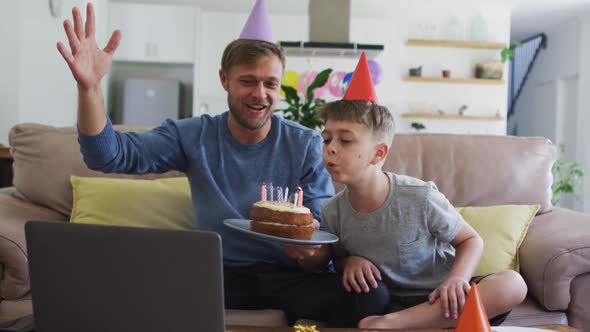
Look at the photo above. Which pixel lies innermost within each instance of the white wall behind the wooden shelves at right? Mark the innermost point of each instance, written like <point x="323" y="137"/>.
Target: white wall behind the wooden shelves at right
<point x="410" y="97"/>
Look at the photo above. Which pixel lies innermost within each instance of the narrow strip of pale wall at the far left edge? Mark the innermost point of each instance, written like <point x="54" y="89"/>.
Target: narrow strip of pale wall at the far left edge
<point x="9" y="64"/>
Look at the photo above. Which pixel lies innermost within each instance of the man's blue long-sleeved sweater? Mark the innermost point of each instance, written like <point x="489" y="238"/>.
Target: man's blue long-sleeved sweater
<point x="225" y="176"/>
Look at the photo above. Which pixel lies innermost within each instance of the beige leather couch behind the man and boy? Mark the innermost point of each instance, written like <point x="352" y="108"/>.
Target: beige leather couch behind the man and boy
<point x="469" y="170"/>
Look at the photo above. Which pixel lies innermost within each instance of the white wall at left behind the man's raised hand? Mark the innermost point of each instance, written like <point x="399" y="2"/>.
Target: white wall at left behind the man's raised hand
<point x="39" y="86"/>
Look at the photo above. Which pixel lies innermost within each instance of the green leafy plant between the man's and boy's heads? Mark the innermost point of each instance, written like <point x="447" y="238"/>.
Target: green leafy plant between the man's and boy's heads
<point x="303" y="109"/>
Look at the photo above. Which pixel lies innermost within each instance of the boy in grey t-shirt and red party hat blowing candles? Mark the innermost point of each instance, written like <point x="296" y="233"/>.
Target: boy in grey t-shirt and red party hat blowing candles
<point x="395" y="231"/>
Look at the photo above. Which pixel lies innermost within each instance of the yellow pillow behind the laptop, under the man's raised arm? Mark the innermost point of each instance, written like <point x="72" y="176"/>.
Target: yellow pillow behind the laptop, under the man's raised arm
<point x="162" y="203"/>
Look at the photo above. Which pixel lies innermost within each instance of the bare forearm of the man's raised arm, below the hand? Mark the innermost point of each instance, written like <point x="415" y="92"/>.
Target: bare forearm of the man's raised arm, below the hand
<point x="91" y="111"/>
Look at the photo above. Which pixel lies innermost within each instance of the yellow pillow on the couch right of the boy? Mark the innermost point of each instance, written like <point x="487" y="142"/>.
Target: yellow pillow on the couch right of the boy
<point x="502" y="228"/>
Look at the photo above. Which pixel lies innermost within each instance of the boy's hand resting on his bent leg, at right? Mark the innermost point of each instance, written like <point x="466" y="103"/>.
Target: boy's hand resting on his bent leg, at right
<point x="452" y="294"/>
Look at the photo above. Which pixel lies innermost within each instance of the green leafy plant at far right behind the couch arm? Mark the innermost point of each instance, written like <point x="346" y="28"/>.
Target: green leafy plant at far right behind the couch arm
<point x="568" y="179"/>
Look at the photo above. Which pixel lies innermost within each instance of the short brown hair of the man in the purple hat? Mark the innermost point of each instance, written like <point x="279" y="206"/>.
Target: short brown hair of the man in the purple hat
<point x="248" y="51"/>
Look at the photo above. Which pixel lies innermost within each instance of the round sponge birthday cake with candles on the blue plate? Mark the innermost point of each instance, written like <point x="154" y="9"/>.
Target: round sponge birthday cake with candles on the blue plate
<point x="282" y="218"/>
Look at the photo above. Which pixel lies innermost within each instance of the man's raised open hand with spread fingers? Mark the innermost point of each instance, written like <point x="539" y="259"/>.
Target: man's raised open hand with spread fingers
<point x="86" y="60"/>
